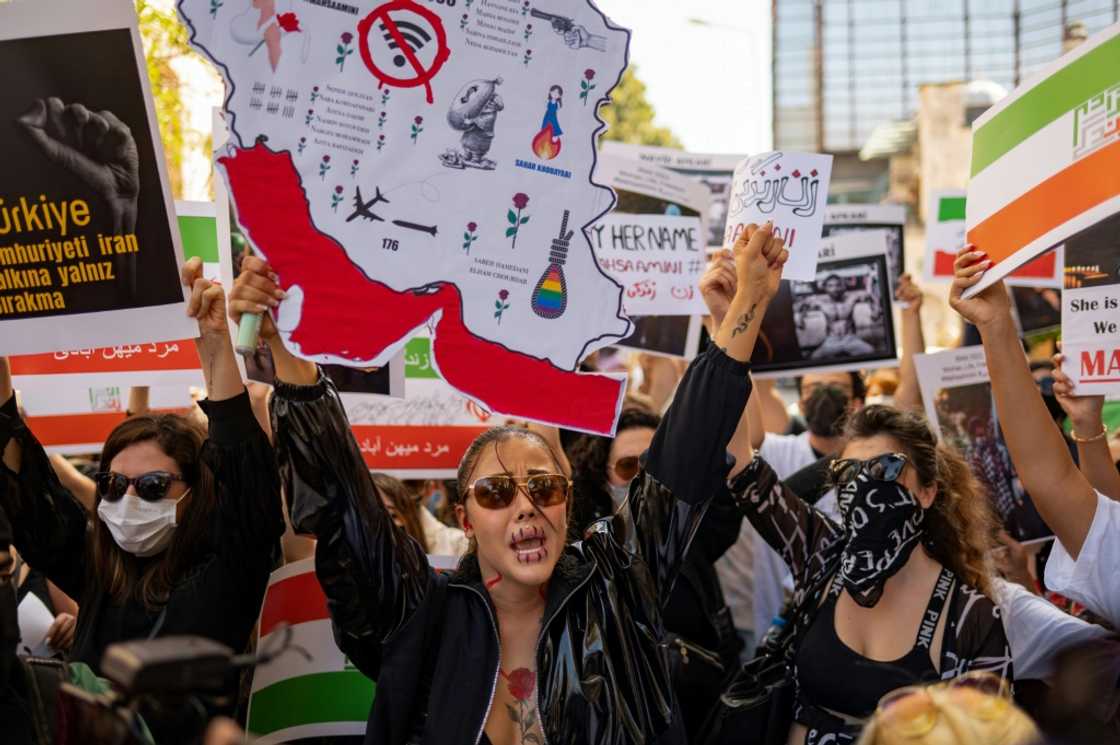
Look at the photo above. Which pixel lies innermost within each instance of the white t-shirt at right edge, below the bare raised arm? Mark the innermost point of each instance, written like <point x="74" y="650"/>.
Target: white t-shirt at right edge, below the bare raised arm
<point x="1095" y="579"/>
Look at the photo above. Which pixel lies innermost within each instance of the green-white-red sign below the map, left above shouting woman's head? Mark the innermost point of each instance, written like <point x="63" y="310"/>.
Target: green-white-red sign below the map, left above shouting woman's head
<point x="423" y="435"/>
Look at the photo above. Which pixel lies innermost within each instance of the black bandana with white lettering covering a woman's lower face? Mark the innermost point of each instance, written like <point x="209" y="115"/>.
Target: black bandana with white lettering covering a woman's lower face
<point x="884" y="524"/>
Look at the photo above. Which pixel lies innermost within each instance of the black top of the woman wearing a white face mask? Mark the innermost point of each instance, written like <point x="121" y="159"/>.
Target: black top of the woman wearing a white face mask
<point x="219" y="598"/>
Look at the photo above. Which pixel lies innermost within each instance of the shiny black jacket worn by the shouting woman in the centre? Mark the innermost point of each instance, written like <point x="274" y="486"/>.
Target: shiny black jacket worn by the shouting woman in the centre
<point x="432" y="641"/>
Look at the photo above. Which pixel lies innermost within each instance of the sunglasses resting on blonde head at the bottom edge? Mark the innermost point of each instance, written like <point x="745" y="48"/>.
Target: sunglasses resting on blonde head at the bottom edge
<point x="912" y="712"/>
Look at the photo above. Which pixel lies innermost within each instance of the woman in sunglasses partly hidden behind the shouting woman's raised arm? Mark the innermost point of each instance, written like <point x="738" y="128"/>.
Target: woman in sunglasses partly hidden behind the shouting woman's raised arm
<point x="704" y="648"/>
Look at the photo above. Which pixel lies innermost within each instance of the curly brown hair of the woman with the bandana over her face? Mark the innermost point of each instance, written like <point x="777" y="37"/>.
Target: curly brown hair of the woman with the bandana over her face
<point x="960" y="524"/>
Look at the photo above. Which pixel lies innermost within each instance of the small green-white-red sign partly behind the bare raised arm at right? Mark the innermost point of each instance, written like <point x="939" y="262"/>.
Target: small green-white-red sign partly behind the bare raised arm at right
<point x="945" y="237"/>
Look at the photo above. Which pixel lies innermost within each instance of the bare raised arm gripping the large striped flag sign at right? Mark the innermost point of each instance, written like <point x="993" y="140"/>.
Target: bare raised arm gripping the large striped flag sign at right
<point x="1063" y="496"/>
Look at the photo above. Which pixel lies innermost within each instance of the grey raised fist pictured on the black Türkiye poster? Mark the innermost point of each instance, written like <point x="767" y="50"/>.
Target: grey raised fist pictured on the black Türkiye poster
<point x="97" y="147"/>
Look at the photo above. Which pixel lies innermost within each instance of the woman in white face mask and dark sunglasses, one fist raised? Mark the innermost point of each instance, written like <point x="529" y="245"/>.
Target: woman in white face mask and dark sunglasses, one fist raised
<point x="186" y="527"/>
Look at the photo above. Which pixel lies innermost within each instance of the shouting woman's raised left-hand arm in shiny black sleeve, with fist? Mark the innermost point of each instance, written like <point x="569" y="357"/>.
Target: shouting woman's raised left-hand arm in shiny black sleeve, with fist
<point x="374" y="574"/>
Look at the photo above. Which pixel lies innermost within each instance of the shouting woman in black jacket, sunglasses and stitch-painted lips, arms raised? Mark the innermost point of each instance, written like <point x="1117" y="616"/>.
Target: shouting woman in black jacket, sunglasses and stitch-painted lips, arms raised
<point x="533" y="640"/>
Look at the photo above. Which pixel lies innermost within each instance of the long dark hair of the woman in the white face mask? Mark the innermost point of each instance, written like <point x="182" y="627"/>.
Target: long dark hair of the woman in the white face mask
<point x="124" y="575"/>
